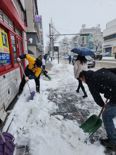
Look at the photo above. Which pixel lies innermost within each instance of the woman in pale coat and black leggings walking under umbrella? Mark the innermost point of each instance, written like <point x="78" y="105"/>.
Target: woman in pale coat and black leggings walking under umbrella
<point x="80" y="65"/>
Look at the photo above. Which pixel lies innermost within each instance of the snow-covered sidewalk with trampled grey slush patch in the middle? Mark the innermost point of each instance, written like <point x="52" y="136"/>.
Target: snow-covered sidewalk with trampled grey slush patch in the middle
<point x="49" y="124"/>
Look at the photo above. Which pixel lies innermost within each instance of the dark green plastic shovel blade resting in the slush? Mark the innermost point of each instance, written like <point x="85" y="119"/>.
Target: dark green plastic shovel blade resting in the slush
<point x="91" y="124"/>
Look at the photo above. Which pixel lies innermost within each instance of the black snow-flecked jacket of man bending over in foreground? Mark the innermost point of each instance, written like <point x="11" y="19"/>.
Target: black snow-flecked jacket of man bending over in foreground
<point x="102" y="81"/>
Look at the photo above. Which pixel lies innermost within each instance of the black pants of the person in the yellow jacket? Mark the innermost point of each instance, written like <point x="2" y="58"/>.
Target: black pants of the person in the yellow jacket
<point x="23" y="82"/>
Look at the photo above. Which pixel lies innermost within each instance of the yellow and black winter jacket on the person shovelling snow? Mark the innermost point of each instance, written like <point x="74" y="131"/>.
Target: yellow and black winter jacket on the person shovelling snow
<point x="30" y="67"/>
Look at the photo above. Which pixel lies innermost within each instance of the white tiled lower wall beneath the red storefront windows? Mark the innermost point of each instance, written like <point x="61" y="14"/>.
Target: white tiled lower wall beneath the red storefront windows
<point x="9" y="84"/>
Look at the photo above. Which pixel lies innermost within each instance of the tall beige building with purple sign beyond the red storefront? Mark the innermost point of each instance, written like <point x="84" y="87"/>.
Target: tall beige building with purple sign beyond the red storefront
<point x="34" y="28"/>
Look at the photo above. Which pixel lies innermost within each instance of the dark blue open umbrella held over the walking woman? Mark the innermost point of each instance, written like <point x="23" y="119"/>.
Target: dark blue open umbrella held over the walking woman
<point x="83" y="51"/>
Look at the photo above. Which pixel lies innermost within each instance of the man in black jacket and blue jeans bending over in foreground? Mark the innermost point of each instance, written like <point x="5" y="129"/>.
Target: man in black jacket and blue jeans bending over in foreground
<point x="103" y="81"/>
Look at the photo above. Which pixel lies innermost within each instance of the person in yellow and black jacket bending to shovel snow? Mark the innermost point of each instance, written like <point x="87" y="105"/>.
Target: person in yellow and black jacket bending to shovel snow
<point x="32" y="71"/>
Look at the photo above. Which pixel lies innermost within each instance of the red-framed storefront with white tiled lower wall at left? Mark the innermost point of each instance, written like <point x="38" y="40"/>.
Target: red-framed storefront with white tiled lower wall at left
<point x="12" y="32"/>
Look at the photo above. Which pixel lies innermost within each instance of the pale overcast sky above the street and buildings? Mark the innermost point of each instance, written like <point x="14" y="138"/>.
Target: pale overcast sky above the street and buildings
<point x="69" y="15"/>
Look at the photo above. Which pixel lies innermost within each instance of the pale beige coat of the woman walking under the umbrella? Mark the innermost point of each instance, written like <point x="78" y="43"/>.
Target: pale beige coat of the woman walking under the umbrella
<point x="78" y="67"/>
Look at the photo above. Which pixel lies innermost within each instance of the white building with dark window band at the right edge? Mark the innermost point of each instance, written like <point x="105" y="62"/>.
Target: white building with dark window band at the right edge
<point x="109" y="35"/>
